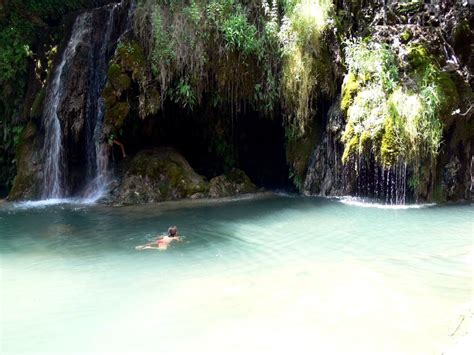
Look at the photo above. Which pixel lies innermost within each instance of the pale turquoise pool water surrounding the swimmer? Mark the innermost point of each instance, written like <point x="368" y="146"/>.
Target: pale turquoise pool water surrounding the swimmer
<point x="270" y="274"/>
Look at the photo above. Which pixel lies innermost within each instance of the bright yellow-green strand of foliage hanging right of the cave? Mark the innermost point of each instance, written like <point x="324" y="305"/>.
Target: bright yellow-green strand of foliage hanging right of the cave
<point x="306" y="60"/>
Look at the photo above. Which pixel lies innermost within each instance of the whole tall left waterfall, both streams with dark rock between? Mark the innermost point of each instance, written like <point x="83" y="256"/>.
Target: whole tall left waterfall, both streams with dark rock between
<point x="76" y="153"/>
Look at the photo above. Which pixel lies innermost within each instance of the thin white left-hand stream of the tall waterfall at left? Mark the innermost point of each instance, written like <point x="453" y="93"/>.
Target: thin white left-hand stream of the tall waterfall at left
<point x="54" y="184"/>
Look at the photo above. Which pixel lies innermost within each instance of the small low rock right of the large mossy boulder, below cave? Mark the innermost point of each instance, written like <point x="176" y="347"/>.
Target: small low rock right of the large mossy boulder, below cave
<point x="232" y="184"/>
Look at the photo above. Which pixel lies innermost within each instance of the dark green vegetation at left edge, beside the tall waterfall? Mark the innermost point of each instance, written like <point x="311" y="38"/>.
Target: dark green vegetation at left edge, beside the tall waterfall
<point x="24" y="24"/>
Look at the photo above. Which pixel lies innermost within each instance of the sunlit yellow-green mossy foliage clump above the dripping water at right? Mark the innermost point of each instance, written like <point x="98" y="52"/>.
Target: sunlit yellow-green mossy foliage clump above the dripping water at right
<point x="394" y="103"/>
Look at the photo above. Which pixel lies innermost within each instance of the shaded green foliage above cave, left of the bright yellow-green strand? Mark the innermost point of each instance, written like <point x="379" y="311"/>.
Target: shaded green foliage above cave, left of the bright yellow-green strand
<point x="212" y="48"/>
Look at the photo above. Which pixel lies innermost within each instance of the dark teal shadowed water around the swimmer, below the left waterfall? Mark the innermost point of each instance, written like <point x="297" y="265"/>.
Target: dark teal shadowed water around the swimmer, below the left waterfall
<point x="72" y="229"/>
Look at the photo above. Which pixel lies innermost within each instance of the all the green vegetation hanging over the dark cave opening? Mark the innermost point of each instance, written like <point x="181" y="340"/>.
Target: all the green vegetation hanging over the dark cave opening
<point x="225" y="55"/>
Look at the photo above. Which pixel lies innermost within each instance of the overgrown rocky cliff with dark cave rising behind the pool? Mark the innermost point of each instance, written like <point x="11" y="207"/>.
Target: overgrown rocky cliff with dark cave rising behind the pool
<point x="367" y="98"/>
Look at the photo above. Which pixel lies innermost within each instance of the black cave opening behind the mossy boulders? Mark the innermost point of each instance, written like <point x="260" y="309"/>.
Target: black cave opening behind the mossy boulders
<point x="213" y="142"/>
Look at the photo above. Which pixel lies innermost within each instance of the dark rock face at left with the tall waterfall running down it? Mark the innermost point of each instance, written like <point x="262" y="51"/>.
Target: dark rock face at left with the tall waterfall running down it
<point x="68" y="113"/>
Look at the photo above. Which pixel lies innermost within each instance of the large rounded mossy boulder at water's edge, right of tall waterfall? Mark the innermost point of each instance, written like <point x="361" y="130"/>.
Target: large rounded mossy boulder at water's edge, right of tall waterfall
<point x="158" y="175"/>
